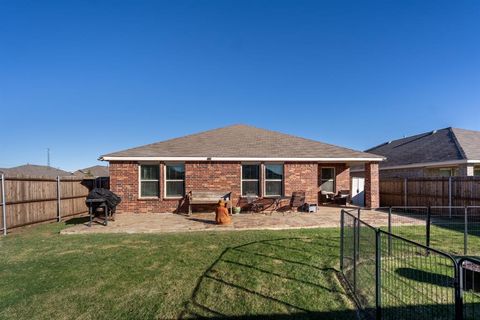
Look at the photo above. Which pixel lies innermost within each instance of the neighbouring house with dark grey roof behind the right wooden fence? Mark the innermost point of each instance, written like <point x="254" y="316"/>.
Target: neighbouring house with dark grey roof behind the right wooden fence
<point x="439" y="153"/>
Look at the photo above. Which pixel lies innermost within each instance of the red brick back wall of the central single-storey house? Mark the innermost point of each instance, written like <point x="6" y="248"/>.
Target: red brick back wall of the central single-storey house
<point x="217" y="176"/>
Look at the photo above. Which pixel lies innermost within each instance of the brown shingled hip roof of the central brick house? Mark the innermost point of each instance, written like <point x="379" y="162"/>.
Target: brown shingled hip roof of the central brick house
<point x="240" y="142"/>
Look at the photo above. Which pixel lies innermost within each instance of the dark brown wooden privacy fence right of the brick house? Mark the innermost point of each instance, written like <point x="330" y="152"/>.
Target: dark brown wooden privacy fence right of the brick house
<point x="438" y="191"/>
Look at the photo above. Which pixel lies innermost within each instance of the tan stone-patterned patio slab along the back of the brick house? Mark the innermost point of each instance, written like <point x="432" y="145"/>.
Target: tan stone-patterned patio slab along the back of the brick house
<point x="326" y="217"/>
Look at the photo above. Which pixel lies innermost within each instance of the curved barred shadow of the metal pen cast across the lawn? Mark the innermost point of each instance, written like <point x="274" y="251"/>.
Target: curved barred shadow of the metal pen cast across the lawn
<point x="268" y="279"/>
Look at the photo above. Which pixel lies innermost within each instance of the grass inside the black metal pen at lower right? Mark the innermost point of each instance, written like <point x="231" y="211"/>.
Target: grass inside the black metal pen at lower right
<point x="414" y="284"/>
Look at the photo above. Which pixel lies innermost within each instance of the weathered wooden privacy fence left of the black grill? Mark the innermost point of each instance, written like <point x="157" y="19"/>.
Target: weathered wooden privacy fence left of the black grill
<point x="29" y="200"/>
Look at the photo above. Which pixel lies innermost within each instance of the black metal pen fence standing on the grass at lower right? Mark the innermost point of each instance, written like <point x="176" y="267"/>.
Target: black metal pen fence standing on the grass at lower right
<point x="392" y="277"/>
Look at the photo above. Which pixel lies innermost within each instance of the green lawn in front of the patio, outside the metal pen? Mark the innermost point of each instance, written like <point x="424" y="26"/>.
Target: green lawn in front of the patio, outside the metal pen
<point x="281" y="274"/>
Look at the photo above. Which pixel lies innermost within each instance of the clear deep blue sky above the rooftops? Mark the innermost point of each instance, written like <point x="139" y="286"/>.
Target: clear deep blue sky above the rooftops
<point x="86" y="78"/>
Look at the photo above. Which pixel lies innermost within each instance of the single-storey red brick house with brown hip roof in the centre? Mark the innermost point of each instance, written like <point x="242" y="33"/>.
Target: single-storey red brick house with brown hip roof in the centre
<point x="238" y="158"/>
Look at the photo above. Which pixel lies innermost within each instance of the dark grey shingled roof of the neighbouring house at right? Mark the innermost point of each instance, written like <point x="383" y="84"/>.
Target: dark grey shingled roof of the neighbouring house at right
<point x="444" y="145"/>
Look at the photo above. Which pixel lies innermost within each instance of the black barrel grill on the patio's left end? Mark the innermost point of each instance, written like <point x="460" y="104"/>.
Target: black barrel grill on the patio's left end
<point x="104" y="199"/>
